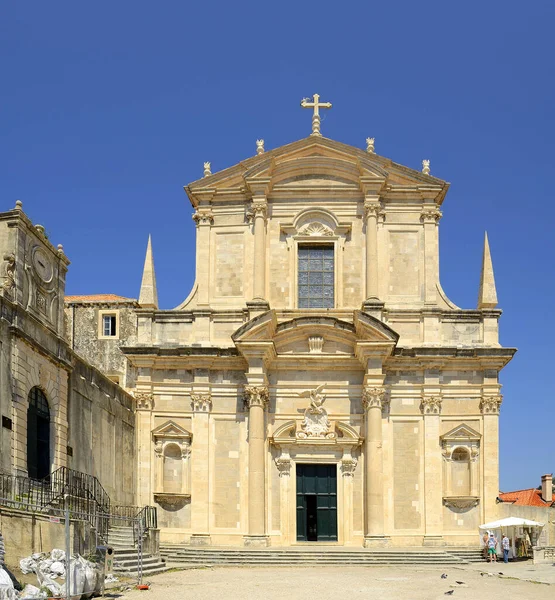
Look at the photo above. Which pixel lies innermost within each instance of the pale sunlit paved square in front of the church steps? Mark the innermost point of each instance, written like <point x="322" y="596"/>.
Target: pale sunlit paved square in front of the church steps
<point x="326" y="583"/>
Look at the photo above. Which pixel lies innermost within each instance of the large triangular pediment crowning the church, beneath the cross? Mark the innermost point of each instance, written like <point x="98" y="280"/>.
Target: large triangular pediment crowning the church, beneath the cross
<point x="315" y="162"/>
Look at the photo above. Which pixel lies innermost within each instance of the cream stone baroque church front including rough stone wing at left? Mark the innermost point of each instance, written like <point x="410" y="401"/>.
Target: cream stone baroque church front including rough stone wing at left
<point x="316" y="385"/>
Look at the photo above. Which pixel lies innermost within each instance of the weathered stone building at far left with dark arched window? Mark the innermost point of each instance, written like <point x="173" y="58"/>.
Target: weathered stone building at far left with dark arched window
<point x="57" y="410"/>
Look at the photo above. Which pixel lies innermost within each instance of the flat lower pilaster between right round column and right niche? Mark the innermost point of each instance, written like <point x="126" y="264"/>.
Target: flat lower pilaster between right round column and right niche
<point x="433" y="471"/>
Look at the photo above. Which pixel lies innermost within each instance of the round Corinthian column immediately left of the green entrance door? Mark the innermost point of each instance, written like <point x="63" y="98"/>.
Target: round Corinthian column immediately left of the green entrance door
<point x="256" y="398"/>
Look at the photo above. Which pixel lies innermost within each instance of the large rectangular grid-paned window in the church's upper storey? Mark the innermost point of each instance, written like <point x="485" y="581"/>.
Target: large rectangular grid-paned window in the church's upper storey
<point x="316" y="276"/>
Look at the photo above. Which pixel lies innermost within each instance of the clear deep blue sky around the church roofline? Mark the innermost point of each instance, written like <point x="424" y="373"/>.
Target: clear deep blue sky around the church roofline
<point x="109" y="108"/>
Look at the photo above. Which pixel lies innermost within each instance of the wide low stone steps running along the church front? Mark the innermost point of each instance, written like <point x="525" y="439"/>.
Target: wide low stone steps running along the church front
<point x="306" y="556"/>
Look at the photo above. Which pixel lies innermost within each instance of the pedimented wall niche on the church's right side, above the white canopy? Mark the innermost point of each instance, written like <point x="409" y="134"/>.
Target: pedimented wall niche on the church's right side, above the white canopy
<point x="461" y="453"/>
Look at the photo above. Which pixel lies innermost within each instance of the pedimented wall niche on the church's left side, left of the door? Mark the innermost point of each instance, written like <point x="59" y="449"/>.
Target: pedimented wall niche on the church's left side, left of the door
<point x="172" y="469"/>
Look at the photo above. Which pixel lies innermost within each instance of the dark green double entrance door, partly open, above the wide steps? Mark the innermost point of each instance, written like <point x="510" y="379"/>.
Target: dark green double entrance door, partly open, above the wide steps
<point x="317" y="503"/>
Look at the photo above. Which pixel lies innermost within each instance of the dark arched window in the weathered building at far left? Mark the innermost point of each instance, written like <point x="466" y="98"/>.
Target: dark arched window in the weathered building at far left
<point x="38" y="435"/>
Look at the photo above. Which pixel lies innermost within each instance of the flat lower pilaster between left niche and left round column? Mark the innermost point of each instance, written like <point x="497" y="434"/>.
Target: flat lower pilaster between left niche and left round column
<point x="201" y="404"/>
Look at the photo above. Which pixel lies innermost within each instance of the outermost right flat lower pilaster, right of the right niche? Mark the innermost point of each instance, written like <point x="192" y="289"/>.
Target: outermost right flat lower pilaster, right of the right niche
<point x="489" y="406"/>
